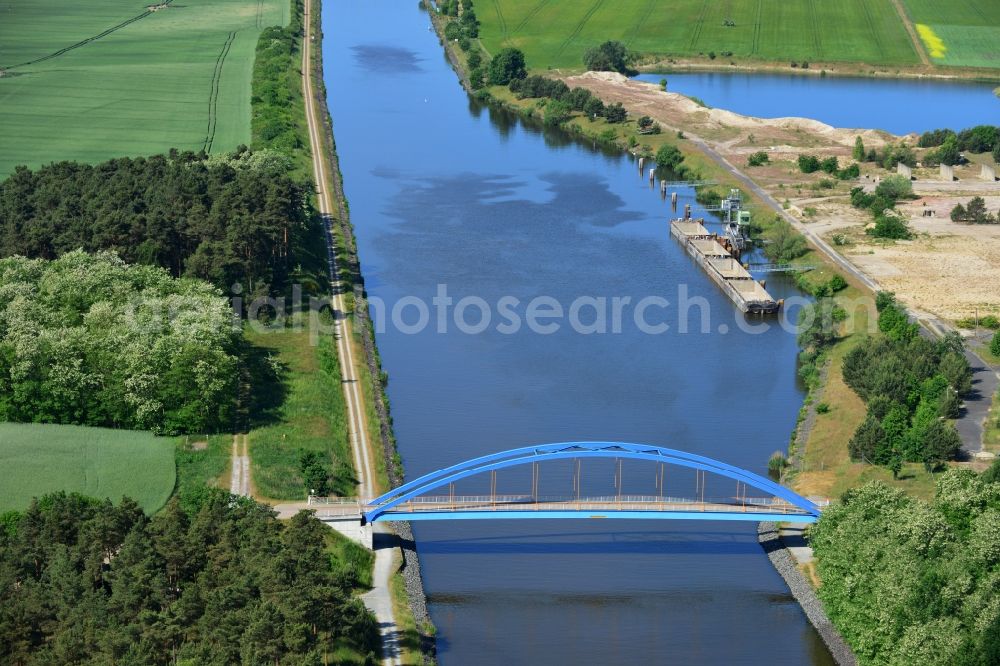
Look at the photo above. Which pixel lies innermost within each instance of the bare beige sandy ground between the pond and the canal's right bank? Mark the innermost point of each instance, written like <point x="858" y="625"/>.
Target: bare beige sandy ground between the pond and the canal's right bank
<point x="949" y="270"/>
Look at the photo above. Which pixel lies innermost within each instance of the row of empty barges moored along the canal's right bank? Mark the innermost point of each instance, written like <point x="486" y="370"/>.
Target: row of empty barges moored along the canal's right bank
<point x="726" y="271"/>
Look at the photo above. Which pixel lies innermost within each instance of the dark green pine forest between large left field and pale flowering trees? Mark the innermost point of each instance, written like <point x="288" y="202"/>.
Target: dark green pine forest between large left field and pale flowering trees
<point x="238" y="218"/>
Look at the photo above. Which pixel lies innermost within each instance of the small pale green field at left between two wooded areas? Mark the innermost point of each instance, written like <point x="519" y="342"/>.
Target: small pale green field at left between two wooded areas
<point x="37" y="459"/>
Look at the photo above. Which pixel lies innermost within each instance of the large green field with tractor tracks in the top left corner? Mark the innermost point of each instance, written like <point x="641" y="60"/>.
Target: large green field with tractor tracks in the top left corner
<point x="91" y="81"/>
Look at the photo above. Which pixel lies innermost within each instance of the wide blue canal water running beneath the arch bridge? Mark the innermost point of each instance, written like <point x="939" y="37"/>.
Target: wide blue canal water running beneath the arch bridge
<point x="444" y="191"/>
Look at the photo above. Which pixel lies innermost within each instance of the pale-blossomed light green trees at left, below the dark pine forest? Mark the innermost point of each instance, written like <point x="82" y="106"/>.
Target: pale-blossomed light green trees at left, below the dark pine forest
<point x="90" y="340"/>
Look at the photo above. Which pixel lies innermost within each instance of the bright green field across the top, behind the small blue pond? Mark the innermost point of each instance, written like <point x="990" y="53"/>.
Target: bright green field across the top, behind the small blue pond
<point x="557" y="32"/>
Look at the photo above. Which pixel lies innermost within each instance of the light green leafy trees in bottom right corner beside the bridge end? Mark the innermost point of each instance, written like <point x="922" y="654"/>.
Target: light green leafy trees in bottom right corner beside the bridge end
<point x="912" y="583"/>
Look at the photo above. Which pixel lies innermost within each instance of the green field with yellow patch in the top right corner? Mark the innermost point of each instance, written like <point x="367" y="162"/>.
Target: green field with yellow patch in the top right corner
<point x="968" y="29"/>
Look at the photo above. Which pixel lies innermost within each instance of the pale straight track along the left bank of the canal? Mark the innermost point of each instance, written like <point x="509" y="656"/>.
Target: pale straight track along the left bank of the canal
<point x="378" y="600"/>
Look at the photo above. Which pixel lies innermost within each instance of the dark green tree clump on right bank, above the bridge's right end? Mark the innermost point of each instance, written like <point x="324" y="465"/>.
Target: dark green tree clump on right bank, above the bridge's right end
<point x="911" y="386"/>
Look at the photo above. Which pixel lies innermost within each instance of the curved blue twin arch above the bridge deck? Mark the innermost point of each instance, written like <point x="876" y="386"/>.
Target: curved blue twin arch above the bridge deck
<point x="577" y="450"/>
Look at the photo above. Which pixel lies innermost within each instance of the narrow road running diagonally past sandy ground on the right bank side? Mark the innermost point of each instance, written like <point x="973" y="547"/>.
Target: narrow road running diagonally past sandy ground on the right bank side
<point x="971" y="424"/>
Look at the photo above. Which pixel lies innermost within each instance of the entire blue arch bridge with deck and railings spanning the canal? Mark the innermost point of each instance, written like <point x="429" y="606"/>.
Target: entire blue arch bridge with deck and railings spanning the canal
<point x="432" y="496"/>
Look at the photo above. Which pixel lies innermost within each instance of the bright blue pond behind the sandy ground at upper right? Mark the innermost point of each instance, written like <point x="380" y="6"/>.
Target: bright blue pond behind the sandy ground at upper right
<point x="898" y="106"/>
